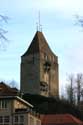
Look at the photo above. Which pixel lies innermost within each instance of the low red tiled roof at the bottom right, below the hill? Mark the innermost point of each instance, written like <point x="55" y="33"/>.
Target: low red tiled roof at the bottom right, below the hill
<point x="60" y="119"/>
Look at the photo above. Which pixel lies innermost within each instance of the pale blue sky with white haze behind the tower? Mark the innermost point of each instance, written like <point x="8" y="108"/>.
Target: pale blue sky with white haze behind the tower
<point x="58" y="26"/>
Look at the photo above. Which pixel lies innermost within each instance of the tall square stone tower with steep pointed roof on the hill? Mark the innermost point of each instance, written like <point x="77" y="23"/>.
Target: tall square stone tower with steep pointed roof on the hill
<point x="39" y="68"/>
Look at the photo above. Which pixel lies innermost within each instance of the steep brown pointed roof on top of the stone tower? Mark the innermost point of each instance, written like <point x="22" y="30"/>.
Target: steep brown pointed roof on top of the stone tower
<point x="38" y="44"/>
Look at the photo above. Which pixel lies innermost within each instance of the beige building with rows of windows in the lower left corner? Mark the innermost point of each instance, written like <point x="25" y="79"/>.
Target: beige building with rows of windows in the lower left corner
<point x="16" y="111"/>
